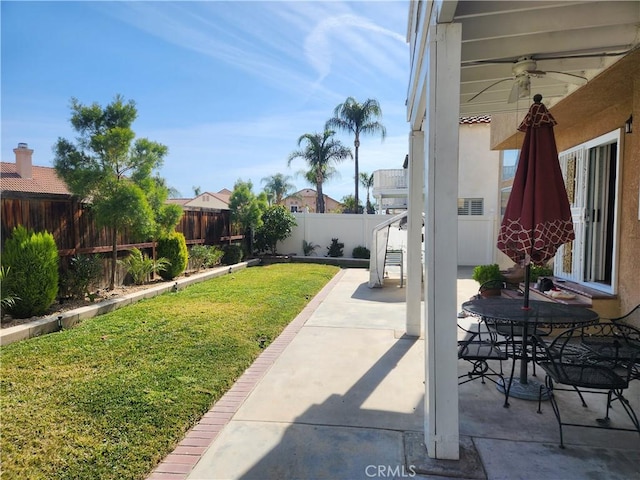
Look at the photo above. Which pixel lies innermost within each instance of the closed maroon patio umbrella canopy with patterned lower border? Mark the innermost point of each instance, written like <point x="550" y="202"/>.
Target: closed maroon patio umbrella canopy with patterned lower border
<point x="537" y="219"/>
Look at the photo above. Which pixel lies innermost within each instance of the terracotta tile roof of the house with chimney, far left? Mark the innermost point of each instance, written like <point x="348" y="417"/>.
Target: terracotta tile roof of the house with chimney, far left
<point x="44" y="180"/>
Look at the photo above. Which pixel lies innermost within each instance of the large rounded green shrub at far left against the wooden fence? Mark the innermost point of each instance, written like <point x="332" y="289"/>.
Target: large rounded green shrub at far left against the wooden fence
<point x="33" y="260"/>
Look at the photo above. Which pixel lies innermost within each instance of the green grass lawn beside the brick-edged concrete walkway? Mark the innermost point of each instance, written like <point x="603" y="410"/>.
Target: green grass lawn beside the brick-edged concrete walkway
<point x="111" y="397"/>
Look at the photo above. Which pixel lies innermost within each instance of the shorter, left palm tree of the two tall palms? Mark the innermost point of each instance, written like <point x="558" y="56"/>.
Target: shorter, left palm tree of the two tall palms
<point x="321" y="151"/>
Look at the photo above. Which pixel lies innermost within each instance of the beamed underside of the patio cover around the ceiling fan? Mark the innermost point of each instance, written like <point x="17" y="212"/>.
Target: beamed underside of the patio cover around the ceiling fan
<point x="582" y="38"/>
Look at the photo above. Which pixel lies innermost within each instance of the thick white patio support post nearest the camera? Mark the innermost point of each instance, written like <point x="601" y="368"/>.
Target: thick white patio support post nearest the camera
<point x="441" y="233"/>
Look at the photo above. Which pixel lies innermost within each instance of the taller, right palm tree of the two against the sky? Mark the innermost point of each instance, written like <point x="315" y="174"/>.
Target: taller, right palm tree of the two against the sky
<point x="357" y="118"/>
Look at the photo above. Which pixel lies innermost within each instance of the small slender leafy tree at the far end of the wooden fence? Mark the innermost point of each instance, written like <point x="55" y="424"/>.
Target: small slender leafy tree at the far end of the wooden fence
<point x="246" y="210"/>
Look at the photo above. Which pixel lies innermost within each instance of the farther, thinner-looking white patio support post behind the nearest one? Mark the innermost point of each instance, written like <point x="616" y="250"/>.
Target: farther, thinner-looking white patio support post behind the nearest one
<point x="414" y="233"/>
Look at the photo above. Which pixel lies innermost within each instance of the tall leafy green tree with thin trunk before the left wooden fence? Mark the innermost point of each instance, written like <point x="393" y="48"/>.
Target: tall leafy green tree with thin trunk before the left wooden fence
<point x="108" y="168"/>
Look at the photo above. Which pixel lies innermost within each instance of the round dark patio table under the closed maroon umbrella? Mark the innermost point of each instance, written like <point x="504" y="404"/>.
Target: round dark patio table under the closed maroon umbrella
<point x="511" y="311"/>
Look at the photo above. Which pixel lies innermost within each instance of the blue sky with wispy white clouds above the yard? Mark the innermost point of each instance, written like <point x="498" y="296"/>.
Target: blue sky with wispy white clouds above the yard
<point x="227" y="86"/>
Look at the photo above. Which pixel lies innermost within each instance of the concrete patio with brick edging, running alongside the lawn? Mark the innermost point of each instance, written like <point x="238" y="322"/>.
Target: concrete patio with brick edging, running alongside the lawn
<point x="339" y="395"/>
